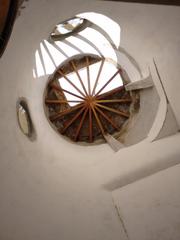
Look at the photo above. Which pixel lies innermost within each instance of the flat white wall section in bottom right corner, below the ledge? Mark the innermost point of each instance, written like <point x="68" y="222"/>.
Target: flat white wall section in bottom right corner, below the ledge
<point x="150" y="208"/>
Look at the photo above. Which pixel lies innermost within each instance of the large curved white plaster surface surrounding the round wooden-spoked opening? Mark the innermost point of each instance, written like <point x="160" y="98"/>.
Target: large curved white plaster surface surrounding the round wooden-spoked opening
<point x="49" y="188"/>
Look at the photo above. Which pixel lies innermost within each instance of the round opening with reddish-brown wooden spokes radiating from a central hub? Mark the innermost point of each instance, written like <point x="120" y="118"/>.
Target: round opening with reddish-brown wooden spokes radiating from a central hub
<point x="85" y="98"/>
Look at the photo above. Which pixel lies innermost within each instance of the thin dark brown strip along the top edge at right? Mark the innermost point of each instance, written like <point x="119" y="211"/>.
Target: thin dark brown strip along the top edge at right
<point x="162" y="2"/>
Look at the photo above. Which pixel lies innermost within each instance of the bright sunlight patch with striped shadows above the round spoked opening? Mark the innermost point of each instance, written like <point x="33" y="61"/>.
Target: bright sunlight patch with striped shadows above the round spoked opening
<point x="90" y="40"/>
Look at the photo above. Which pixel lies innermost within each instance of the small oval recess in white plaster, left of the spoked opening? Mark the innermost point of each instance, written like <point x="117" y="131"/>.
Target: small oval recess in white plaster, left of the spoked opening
<point x="24" y="119"/>
